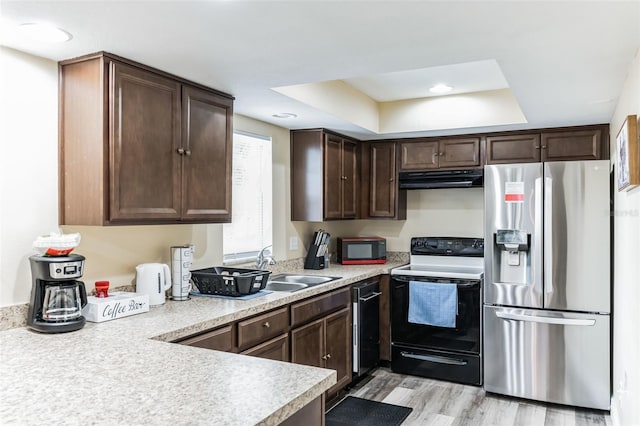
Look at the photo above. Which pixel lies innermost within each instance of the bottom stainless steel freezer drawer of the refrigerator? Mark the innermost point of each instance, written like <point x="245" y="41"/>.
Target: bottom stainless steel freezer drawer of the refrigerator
<point x="548" y="356"/>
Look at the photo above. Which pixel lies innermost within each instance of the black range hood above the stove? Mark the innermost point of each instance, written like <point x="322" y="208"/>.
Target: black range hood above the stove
<point x="442" y="179"/>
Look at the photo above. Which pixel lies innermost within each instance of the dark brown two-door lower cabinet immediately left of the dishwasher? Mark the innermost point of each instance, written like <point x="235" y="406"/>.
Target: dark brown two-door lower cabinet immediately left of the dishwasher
<point x="325" y="343"/>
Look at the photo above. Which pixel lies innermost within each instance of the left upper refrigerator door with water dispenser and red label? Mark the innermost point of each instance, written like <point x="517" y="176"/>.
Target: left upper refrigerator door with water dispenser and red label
<point x="513" y="207"/>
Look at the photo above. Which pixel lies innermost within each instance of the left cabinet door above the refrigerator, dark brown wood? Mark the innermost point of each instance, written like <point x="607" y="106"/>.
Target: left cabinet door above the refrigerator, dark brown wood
<point x="509" y="149"/>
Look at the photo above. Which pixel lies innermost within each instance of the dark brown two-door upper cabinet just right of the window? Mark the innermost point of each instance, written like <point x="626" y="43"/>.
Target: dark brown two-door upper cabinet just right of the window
<point x="324" y="176"/>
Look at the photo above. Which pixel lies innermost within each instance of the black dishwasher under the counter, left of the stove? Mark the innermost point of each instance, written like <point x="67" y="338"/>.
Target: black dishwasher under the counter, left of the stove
<point x="366" y="328"/>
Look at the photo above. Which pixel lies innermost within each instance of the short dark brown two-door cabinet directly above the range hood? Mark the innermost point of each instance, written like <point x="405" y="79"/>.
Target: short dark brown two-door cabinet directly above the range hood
<point x="425" y="154"/>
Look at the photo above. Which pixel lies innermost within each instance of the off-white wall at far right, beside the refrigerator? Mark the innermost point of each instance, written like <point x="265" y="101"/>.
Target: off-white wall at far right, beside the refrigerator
<point x="625" y="409"/>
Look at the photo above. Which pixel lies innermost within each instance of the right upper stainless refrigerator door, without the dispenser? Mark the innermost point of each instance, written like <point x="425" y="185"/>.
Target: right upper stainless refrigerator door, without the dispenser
<point x="576" y="236"/>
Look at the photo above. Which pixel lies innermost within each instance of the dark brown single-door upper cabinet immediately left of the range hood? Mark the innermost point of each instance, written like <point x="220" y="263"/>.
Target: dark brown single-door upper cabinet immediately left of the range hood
<point x="381" y="198"/>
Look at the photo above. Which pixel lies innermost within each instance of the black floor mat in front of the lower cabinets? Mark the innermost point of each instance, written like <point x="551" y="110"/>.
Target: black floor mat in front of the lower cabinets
<point x="353" y="411"/>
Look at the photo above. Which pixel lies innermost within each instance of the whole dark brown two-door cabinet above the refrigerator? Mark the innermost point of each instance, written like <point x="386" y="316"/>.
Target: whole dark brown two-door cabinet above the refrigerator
<point x="562" y="144"/>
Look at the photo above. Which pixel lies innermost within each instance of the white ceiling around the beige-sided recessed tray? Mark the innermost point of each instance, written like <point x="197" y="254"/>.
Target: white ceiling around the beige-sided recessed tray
<point x="564" y="61"/>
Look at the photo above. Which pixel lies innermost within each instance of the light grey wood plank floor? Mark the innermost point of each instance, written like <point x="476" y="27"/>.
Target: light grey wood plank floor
<point x="441" y="403"/>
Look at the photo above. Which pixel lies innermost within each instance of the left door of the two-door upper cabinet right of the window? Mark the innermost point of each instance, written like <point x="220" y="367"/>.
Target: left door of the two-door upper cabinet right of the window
<point x="333" y="177"/>
